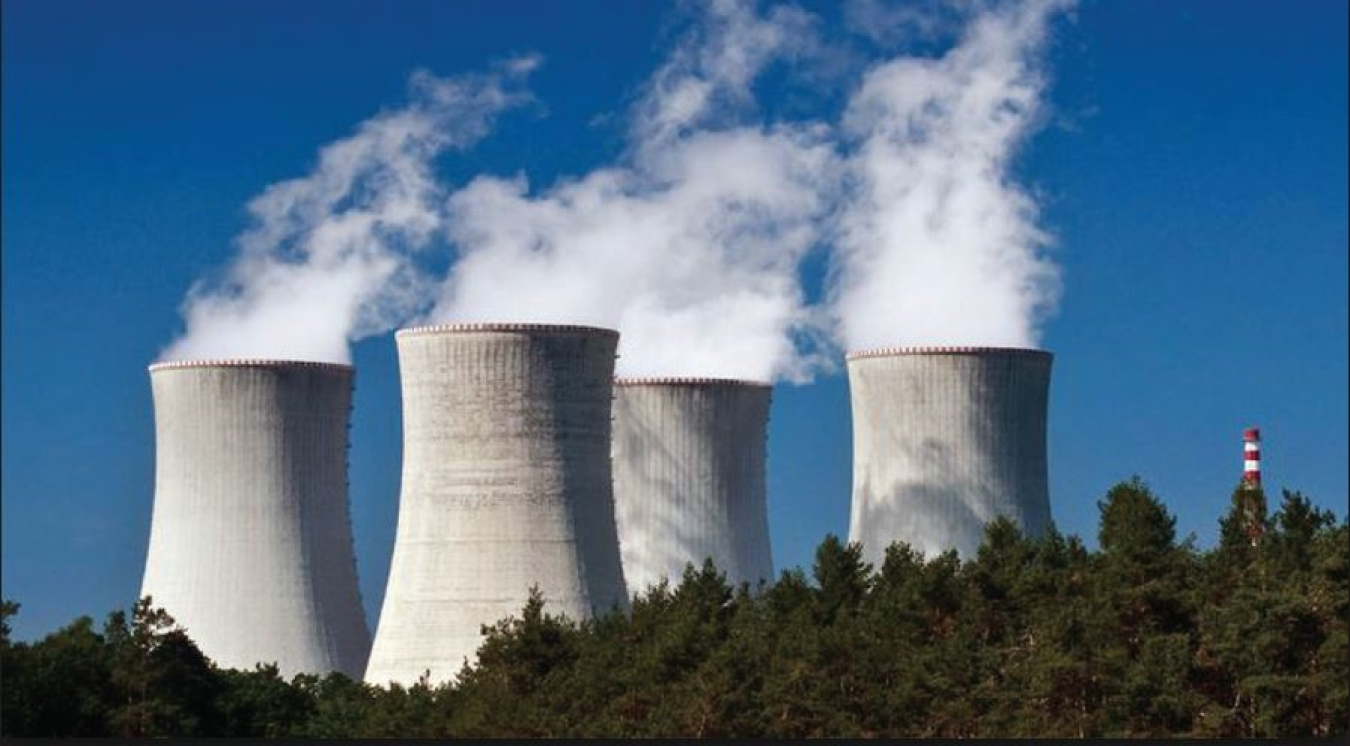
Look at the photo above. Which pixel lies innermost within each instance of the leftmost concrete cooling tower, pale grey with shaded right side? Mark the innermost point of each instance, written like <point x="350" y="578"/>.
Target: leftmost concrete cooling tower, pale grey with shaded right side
<point x="250" y="542"/>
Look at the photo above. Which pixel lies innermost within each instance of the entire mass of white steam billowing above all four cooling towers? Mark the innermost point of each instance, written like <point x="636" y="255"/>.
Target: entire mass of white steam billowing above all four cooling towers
<point x="692" y="242"/>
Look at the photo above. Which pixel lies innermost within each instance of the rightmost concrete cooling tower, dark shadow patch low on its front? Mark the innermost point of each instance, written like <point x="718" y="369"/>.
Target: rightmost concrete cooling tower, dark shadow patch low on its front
<point x="946" y="439"/>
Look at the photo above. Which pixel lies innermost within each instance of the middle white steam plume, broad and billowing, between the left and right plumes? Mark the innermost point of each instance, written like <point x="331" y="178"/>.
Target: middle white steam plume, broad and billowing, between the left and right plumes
<point x="691" y="245"/>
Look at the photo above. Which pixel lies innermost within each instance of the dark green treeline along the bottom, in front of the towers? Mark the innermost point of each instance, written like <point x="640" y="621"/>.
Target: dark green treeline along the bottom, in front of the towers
<point x="1032" y="637"/>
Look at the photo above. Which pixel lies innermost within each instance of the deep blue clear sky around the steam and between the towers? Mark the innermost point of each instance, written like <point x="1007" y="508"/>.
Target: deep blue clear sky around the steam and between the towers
<point x="1193" y="172"/>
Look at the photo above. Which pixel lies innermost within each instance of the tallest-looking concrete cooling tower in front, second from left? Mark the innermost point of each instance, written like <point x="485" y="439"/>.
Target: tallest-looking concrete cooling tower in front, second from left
<point x="507" y="485"/>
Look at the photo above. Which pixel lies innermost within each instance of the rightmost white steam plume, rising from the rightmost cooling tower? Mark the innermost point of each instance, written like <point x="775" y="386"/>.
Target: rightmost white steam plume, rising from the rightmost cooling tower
<point x="936" y="243"/>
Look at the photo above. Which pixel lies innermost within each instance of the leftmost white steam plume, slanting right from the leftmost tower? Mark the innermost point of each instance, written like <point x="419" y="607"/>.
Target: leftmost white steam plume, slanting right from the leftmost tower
<point x="329" y="258"/>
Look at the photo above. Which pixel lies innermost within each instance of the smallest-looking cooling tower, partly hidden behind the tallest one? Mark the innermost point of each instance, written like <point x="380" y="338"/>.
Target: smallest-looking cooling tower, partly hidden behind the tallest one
<point x="689" y="478"/>
